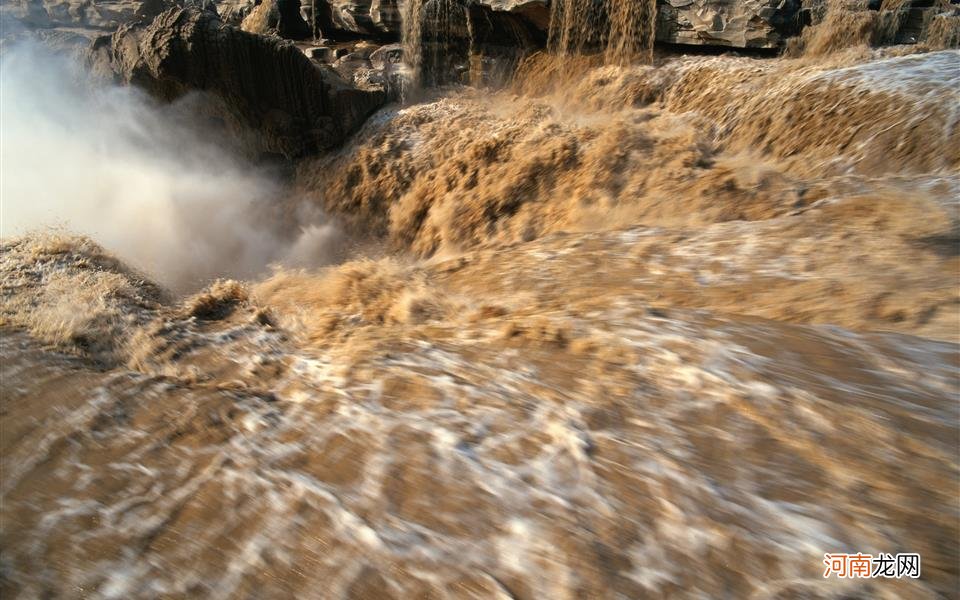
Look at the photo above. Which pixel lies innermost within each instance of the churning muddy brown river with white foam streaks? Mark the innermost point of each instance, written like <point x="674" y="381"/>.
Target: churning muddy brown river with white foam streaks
<point x="614" y="331"/>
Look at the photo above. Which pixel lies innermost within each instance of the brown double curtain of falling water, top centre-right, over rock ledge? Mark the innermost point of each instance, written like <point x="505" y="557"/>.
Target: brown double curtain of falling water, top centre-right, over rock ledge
<point x="622" y="30"/>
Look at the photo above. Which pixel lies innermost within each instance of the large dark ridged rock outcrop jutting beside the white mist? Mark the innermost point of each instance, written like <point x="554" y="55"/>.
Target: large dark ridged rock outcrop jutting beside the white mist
<point x="266" y="92"/>
